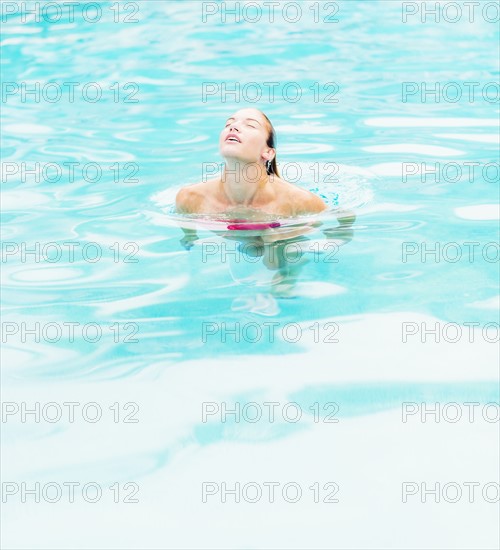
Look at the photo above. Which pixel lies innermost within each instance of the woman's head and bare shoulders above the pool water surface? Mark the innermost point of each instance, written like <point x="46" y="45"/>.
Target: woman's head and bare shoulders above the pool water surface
<point x="250" y="184"/>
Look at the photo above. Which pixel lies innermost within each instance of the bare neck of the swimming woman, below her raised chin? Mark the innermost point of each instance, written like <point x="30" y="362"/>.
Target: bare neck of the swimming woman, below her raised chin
<point x="242" y="183"/>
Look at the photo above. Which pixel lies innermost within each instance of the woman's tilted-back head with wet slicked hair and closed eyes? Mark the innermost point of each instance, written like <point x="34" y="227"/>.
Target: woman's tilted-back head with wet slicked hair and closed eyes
<point x="249" y="136"/>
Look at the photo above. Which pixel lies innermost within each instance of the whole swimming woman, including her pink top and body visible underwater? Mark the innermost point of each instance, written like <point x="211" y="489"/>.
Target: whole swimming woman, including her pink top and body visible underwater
<point x="250" y="188"/>
